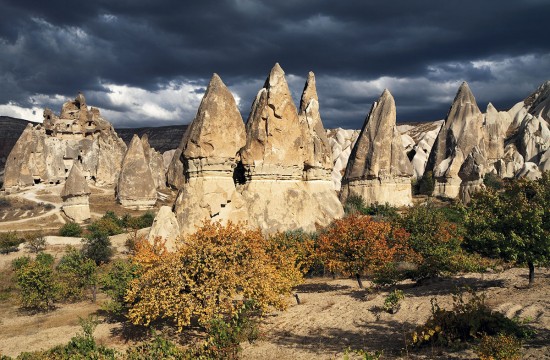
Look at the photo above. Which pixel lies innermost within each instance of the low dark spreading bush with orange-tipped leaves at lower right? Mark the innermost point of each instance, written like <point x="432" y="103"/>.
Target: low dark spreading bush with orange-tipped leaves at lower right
<point x="468" y="320"/>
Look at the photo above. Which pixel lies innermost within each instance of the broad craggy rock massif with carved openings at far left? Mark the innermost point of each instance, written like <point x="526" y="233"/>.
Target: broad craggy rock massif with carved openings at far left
<point x="46" y="152"/>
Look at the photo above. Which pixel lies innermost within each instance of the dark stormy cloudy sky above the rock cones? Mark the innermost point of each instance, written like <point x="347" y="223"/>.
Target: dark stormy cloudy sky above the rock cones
<point x="146" y="63"/>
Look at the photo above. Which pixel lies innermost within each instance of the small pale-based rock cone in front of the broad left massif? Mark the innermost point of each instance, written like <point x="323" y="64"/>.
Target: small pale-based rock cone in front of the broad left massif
<point x="75" y="195"/>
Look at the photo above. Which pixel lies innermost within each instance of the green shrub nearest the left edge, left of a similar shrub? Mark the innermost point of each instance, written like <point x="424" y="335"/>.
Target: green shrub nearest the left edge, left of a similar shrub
<point x="36" y="281"/>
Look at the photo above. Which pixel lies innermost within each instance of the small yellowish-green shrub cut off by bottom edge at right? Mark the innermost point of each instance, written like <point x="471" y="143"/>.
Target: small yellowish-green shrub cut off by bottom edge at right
<point x="499" y="347"/>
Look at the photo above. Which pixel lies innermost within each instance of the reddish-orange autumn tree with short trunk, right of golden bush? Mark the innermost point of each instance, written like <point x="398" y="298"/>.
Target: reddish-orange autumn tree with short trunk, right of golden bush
<point x="356" y="245"/>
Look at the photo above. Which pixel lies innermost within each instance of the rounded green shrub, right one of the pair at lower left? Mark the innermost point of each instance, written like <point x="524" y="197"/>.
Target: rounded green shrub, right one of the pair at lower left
<point x="76" y="274"/>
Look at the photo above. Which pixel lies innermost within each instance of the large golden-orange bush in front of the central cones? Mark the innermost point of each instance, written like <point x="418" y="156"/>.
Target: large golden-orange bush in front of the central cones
<point x="211" y="274"/>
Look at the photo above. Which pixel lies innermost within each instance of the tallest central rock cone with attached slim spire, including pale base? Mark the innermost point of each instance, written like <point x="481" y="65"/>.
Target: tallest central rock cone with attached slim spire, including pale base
<point x="274" y="160"/>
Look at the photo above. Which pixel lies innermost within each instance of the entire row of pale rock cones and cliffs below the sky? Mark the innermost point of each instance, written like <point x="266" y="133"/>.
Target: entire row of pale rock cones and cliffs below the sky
<point x="282" y="169"/>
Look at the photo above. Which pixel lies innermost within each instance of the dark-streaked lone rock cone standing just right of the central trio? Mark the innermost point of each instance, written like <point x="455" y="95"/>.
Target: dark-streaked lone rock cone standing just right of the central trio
<point x="378" y="169"/>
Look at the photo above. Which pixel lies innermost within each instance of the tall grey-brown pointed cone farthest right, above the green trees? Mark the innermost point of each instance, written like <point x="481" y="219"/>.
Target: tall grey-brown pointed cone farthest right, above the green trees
<point x="460" y="133"/>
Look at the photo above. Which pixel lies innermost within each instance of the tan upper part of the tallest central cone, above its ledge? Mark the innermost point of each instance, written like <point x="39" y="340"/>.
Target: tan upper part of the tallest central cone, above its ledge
<point x="275" y="144"/>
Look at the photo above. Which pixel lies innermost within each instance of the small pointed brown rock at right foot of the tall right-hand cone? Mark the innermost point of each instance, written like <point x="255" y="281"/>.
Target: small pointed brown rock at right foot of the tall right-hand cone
<point x="471" y="173"/>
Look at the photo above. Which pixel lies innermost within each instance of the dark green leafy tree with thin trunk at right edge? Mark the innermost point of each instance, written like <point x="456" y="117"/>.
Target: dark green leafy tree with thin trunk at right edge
<point x="513" y="224"/>
